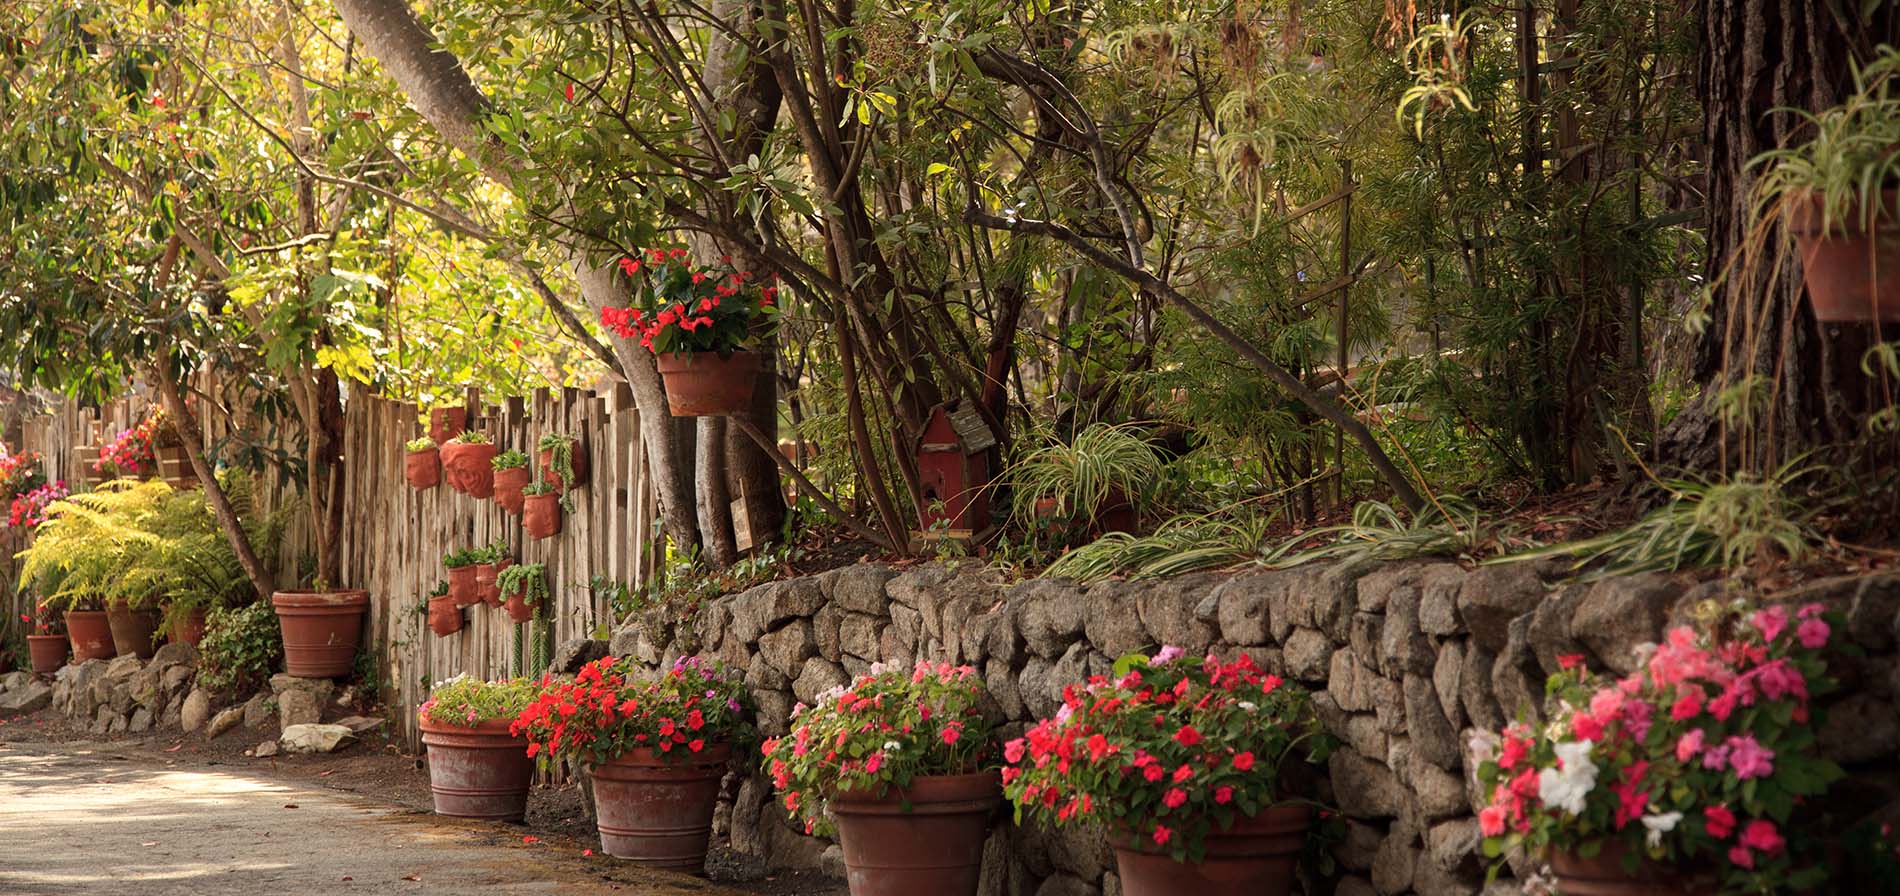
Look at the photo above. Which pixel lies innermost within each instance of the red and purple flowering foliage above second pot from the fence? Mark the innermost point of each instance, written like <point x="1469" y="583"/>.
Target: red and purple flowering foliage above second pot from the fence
<point x="609" y="711"/>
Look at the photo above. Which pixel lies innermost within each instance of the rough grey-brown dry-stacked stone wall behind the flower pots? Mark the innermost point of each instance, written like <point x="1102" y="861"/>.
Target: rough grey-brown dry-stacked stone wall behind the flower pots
<point x="1405" y="660"/>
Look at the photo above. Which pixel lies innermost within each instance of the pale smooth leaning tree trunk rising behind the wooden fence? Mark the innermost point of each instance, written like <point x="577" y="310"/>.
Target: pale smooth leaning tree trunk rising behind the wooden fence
<point x="442" y="90"/>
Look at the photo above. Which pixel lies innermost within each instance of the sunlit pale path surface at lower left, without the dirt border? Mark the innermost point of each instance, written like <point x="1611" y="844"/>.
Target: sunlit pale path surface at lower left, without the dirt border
<point x="86" y="819"/>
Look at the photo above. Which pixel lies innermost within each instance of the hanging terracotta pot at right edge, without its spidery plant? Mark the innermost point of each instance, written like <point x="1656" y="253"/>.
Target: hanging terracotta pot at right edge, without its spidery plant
<point x="1852" y="276"/>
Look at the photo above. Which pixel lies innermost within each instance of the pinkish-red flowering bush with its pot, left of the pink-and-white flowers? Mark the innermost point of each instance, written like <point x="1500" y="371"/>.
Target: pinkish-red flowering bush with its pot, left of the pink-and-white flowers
<point x="1185" y="762"/>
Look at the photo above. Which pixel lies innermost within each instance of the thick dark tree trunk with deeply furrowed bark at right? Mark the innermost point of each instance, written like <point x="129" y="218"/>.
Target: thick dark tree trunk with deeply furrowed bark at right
<point x="1758" y="60"/>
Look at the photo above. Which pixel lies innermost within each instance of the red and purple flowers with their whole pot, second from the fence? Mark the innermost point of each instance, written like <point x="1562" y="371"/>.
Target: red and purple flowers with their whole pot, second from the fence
<point x="656" y="749"/>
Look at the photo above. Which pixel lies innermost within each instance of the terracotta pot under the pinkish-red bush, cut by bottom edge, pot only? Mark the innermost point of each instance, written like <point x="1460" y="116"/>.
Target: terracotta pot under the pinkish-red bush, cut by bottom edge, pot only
<point x="1257" y="857"/>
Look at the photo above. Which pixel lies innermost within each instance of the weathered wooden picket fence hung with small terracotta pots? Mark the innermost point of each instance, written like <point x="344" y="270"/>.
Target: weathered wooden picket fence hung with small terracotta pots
<point x="396" y="538"/>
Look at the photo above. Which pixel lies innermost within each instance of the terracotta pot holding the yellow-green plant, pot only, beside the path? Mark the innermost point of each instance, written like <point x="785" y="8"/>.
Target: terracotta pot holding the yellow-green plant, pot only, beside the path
<point x="478" y="772"/>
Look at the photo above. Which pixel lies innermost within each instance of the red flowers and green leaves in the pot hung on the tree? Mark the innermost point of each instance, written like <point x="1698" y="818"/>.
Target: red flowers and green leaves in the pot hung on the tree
<point x="689" y="308"/>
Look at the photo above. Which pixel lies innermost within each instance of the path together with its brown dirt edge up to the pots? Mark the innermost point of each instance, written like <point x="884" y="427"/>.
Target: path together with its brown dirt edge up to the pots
<point x="189" y="817"/>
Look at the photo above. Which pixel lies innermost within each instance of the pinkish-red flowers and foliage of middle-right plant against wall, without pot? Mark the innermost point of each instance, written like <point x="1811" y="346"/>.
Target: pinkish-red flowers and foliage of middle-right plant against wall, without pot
<point x="1171" y="745"/>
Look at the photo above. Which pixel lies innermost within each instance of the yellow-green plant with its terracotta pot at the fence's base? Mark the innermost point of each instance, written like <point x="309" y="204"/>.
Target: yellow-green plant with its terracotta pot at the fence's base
<point x="478" y="768"/>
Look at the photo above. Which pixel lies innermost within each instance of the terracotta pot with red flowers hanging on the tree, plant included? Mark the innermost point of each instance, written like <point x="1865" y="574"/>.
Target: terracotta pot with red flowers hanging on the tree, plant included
<point x="698" y="322"/>
